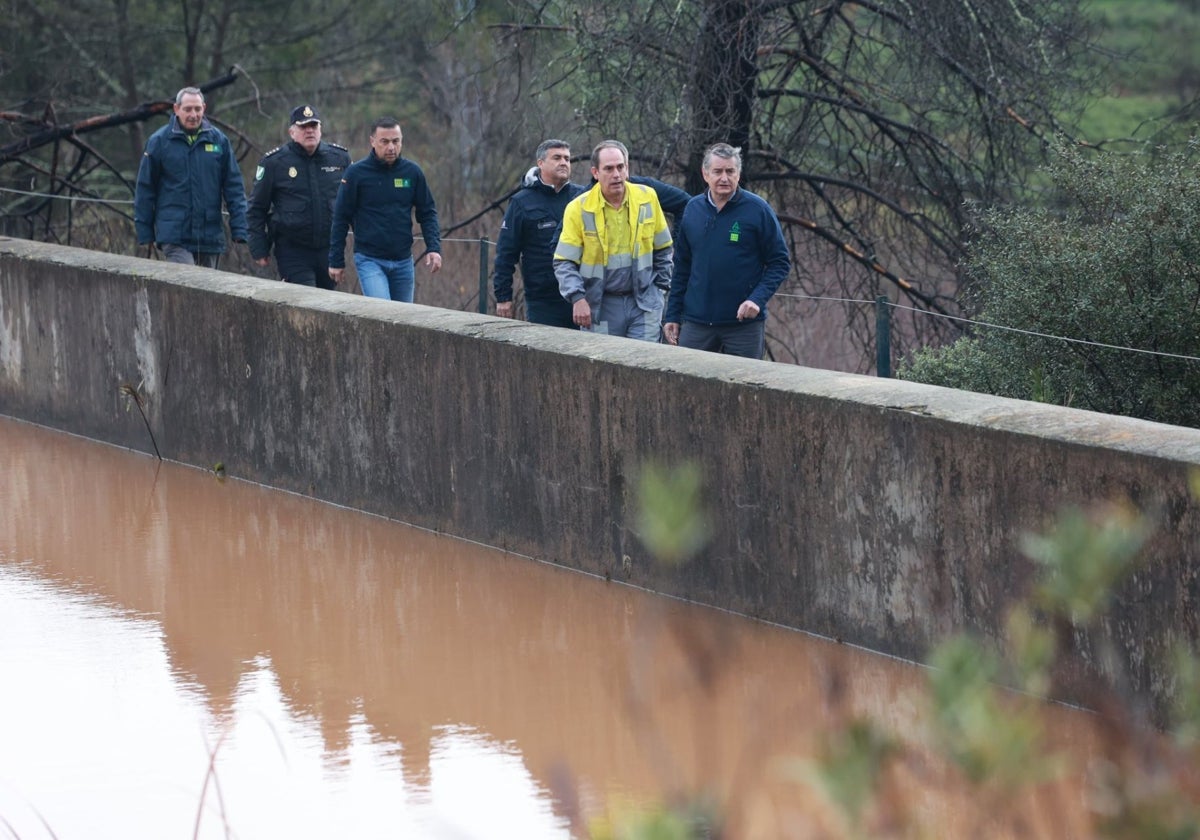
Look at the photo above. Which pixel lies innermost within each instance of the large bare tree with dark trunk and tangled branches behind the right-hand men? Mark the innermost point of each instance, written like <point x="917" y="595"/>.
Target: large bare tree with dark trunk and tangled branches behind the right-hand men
<point x="873" y="128"/>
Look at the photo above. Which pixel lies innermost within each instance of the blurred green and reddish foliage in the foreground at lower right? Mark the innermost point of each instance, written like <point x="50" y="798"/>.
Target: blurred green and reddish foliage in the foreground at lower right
<point x="986" y="710"/>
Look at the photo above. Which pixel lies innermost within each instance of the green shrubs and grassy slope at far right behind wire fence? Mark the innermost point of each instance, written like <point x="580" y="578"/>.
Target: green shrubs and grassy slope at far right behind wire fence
<point x="1085" y="295"/>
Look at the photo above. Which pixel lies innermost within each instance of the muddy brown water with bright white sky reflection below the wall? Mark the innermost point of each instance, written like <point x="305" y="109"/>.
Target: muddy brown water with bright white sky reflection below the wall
<point x="353" y="677"/>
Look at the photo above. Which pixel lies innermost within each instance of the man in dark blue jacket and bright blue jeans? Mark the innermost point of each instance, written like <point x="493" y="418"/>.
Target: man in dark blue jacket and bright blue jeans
<point x="379" y="199"/>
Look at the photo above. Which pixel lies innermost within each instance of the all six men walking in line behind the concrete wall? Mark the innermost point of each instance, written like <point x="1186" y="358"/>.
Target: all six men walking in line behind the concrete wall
<point x="599" y="259"/>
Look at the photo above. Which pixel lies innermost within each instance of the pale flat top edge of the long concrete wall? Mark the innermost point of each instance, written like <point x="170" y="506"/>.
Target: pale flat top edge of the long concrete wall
<point x="931" y="403"/>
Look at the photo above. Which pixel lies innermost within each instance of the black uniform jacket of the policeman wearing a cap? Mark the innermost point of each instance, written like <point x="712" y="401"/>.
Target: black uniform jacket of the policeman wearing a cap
<point x="293" y="197"/>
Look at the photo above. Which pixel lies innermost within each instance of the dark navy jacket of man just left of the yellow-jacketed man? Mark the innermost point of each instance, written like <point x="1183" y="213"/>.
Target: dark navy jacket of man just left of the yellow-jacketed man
<point x="530" y="231"/>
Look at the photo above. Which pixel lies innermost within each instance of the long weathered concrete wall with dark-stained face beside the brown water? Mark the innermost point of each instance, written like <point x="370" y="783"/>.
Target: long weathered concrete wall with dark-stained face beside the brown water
<point x="879" y="512"/>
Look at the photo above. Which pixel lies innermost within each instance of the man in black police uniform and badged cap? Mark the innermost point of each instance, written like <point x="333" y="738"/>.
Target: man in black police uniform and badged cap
<point x="292" y="203"/>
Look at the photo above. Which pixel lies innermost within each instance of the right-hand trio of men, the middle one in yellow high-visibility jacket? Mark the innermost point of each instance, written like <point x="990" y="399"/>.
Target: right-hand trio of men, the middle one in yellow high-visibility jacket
<point x="604" y="259"/>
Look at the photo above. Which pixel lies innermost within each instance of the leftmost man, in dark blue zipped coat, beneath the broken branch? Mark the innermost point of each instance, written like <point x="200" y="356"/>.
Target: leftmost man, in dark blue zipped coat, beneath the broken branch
<point x="188" y="169"/>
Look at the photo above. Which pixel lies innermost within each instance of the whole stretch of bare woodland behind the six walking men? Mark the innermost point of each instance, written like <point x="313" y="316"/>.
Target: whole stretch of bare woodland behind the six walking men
<point x="873" y="128"/>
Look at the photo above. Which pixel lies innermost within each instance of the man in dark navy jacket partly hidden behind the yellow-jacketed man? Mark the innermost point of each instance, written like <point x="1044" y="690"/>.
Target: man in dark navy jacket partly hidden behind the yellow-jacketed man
<point x="530" y="232"/>
